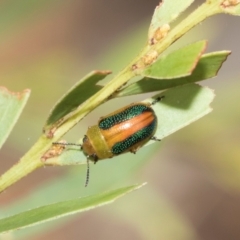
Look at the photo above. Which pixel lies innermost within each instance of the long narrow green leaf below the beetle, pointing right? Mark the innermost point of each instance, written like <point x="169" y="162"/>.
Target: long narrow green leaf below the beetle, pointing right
<point x="61" y="209"/>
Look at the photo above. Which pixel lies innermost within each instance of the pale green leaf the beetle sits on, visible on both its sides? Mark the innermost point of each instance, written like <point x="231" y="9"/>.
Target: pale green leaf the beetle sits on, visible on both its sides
<point x="181" y="106"/>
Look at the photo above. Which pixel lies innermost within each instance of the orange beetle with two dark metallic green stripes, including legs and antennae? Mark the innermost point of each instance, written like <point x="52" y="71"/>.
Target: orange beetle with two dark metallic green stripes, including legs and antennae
<point x="124" y="130"/>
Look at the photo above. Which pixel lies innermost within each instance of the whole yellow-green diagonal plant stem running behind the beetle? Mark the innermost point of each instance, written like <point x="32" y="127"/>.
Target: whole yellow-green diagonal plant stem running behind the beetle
<point x="32" y="159"/>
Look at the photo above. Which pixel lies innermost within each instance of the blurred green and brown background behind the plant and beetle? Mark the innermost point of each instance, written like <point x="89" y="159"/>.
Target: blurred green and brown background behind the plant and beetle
<point x="193" y="176"/>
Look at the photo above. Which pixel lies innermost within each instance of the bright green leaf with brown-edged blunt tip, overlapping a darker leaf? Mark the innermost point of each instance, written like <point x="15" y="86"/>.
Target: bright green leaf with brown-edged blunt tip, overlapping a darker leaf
<point x="179" y="63"/>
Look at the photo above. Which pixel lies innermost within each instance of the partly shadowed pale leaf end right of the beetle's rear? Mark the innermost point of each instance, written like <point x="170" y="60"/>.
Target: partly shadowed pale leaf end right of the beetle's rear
<point x="180" y="107"/>
